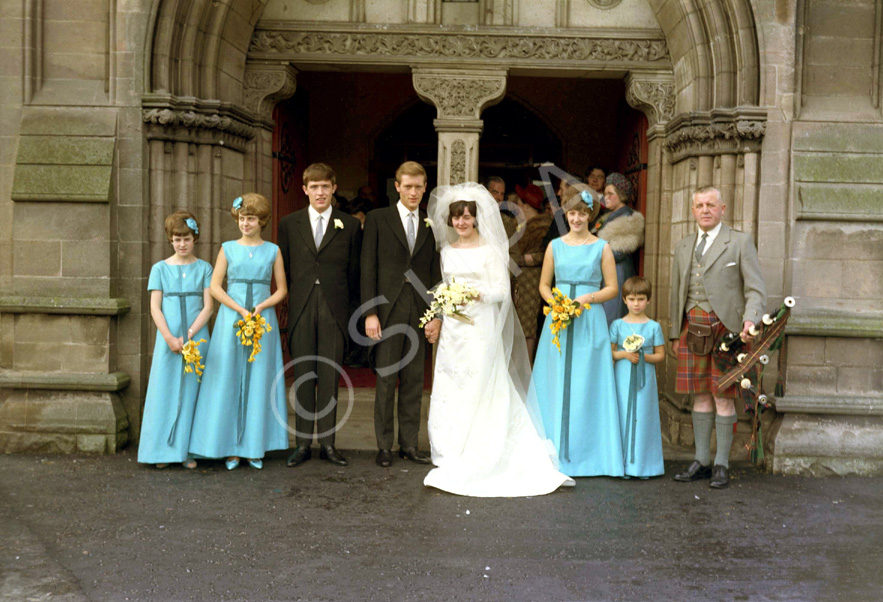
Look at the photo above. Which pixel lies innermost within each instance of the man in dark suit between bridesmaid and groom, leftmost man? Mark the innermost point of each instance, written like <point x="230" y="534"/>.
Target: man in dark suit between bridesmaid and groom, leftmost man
<point x="320" y="247"/>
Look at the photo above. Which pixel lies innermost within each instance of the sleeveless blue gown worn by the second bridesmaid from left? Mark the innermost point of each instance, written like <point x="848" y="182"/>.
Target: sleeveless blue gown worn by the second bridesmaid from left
<point x="242" y="410"/>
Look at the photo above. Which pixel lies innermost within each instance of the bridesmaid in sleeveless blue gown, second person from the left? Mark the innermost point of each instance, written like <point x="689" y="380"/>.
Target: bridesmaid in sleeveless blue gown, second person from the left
<point x="241" y="411"/>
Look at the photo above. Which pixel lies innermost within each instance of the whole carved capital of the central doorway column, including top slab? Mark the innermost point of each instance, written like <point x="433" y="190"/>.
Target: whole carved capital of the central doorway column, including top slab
<point x="459" y="95"/>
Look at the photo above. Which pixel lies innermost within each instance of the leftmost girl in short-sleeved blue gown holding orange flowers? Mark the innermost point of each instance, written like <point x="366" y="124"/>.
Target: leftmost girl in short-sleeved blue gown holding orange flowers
<point x="180" y="305"/>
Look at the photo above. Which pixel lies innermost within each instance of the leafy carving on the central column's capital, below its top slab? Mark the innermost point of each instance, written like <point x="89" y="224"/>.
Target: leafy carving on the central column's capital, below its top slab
<point x="458" y="97"/>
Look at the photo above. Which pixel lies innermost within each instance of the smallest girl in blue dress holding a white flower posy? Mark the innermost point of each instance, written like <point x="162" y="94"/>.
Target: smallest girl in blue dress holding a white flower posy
<point x="636" y="382"/>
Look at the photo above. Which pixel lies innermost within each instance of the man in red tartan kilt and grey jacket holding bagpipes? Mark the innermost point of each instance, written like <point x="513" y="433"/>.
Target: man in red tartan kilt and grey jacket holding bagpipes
<point x="716" y="283"/>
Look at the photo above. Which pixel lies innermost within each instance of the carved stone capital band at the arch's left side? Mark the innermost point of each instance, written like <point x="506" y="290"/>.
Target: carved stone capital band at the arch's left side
<point x="195" y="120"/>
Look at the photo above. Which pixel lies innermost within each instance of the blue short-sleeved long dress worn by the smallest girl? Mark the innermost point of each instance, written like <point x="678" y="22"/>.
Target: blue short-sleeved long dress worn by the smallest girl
<point x="639" y="401"/>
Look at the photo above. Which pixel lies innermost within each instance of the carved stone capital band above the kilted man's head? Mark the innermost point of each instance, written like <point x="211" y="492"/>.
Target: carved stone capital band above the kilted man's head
<point x="717" y="132"/>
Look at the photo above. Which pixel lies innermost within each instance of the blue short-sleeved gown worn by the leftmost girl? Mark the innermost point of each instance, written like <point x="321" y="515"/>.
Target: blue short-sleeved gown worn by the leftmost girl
<point x="171" y="393"/>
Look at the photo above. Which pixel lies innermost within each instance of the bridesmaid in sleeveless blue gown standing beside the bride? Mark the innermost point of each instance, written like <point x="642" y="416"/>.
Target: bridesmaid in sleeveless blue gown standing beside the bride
<point x="575" y="387"/>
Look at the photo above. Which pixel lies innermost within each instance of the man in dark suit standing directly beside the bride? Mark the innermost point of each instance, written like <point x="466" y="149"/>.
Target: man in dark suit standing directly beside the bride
<point x="399" y="263"/>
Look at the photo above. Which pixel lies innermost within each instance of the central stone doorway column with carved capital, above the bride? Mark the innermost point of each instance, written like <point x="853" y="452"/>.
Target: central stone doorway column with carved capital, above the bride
<point x="460" y="96"/>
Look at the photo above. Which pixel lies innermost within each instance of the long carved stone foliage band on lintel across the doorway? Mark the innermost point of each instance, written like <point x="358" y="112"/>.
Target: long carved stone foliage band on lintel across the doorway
<point x="485" y="46"/>
